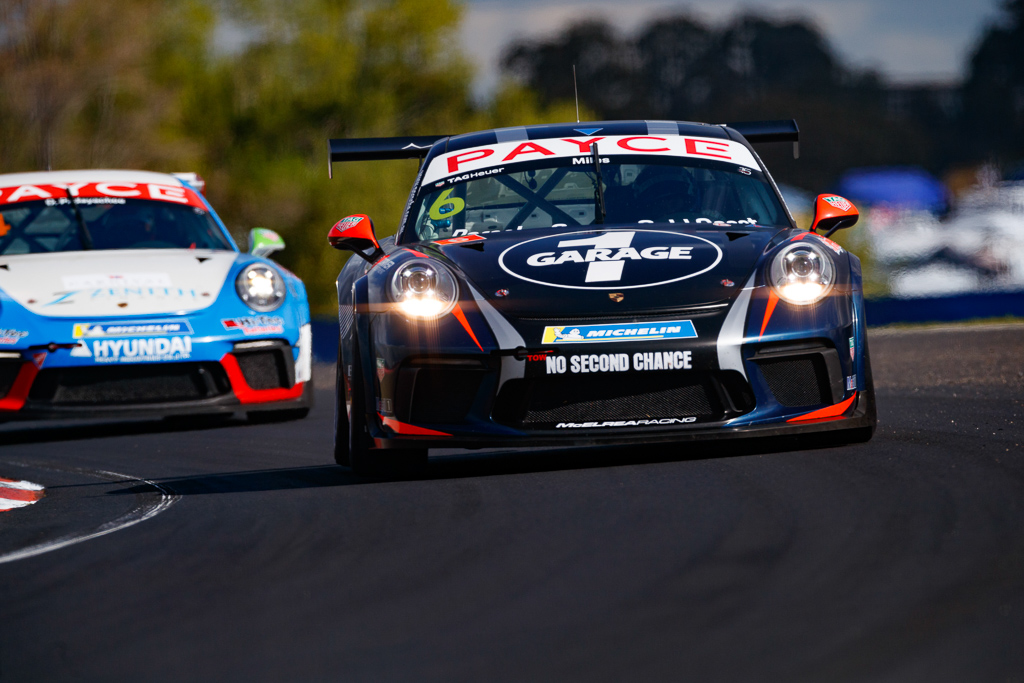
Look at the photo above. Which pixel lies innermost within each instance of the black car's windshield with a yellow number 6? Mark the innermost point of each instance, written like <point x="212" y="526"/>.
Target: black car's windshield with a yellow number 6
<point x="564" y="192"/>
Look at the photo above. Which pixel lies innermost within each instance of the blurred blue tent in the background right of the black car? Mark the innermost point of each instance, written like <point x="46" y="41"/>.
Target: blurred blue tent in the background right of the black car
<point x="905" y="187"/>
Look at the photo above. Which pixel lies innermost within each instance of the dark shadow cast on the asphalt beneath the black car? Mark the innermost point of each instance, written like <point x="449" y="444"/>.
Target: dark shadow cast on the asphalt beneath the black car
<point x="473" y="464"/>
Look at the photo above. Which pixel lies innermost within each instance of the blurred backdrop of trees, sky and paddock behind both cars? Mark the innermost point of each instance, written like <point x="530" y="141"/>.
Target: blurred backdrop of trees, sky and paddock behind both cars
<point x="915" y="111"/>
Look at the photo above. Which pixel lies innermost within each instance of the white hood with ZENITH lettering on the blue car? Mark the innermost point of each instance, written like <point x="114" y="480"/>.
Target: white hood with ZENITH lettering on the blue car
<point x="116" y="283"/>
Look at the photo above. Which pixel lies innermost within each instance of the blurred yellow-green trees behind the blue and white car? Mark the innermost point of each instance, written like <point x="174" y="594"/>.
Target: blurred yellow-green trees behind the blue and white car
<point x="147" y="84"/>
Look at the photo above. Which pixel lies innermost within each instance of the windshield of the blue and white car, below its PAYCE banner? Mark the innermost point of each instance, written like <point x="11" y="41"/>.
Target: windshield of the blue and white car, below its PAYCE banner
<point x="51" y="226"/>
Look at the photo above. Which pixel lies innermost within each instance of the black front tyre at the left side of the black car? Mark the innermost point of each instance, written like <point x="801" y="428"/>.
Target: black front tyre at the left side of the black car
<point x="353" y="445"/>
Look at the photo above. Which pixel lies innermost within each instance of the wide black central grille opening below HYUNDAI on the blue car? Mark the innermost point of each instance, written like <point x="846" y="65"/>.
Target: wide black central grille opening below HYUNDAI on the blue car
<point x="130" y="385"/>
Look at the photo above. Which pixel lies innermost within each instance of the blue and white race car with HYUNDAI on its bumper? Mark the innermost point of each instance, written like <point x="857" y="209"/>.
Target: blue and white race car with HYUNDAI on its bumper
<point x="122" y="294"/>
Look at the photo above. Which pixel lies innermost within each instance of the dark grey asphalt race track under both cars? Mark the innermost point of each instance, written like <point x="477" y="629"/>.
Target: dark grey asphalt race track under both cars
<point x="247" y="556"/>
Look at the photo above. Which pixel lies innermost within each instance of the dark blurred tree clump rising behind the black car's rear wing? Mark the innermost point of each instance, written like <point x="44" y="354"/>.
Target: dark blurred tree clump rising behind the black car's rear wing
<point x="753" y="68"/>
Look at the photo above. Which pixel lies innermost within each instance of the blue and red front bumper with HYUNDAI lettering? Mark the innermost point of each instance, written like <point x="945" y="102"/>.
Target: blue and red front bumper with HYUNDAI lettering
<point x="202" y="375"/>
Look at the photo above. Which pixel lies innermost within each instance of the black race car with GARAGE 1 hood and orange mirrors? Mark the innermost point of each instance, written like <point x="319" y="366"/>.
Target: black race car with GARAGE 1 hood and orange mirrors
<point x="594" y="284"/>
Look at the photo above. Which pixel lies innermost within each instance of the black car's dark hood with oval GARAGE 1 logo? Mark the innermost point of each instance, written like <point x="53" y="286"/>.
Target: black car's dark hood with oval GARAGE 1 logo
<point x="610" y="272"/>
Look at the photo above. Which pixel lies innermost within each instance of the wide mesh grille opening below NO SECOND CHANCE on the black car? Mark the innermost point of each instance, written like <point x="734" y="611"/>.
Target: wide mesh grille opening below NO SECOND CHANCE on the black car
<point x="545" y="402"/>
